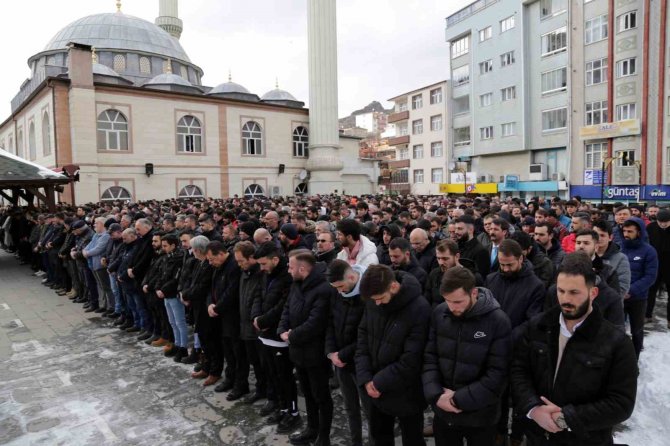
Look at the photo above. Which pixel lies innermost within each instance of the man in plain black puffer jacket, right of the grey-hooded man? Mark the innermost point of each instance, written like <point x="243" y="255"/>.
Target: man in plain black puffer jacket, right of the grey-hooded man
<point x="391" y="339"/>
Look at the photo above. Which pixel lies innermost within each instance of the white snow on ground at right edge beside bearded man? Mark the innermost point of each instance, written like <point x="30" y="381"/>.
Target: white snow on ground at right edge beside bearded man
<point x="649" y="425"/>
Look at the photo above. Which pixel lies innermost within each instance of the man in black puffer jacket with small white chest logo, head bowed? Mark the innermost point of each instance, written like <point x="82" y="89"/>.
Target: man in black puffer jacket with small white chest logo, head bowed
<point x="466" y="361"/>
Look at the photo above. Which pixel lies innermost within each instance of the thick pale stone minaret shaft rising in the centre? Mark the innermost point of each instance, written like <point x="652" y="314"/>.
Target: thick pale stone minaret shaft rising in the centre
<point x="325" y="161"/>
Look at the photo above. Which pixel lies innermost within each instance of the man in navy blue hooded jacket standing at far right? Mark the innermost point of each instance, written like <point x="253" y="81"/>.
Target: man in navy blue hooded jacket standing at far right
<point x="643" y="268"/>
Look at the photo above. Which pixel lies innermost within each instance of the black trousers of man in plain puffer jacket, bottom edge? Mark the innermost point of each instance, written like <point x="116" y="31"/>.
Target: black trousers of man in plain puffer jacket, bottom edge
<point x="382" y="424"/>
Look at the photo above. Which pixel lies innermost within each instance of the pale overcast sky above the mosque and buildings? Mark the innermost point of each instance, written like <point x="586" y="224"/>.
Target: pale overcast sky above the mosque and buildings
<point x="385" y="47"/>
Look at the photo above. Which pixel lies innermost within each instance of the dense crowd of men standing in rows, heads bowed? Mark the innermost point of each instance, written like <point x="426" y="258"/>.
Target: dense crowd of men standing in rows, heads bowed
<point x="508" y="319"/>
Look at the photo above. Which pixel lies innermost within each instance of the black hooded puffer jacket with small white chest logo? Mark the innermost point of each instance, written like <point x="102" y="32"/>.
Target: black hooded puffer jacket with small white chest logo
<point x="470" y="355"/>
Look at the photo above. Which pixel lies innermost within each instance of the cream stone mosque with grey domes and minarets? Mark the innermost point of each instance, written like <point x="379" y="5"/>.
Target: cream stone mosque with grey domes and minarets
<point x="116" y="100"/>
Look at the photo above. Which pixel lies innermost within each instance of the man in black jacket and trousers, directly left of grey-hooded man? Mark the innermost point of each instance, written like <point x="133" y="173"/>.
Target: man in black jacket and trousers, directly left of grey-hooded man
<point x="303" y="325"/>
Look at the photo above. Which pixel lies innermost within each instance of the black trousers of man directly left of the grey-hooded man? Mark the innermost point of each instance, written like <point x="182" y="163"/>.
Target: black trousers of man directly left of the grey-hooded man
<point x="318" y="401"/>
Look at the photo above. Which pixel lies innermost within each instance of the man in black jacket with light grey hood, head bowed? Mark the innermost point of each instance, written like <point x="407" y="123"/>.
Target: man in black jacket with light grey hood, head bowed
<point x="346" y="311"/>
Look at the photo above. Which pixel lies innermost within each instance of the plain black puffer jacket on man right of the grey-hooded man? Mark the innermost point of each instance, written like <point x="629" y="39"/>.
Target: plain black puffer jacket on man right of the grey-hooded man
<point x="389" y="348"/>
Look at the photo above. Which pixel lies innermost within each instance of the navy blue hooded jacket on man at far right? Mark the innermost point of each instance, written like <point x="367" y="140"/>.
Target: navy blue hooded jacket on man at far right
<point x="643" y="262"/>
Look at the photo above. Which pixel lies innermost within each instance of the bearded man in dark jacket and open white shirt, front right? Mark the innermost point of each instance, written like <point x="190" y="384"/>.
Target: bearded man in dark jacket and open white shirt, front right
<point x="573" y="373"/>
